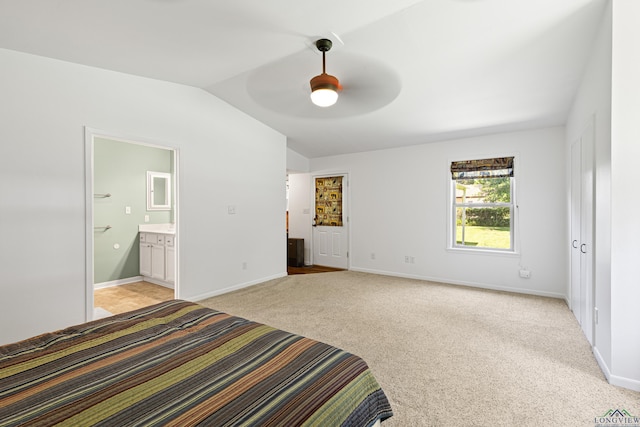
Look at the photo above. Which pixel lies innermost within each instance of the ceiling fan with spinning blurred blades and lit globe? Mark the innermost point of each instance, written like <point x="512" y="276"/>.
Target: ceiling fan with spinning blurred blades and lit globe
<point x="367" y="83"/>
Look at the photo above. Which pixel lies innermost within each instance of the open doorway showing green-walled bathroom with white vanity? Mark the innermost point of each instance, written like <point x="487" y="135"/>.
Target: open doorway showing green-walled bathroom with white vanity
<point x="123" y="223"/>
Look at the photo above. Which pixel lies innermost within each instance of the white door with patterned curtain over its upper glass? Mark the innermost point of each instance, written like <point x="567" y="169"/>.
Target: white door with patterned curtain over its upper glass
<point x="331" y="224"/>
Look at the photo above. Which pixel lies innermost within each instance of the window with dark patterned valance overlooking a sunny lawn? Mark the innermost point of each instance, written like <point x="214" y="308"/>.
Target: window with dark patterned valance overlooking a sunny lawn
<point x="483" y="204"/>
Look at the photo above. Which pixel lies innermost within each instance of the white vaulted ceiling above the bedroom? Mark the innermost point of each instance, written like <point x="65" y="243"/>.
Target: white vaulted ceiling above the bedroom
<point x="413" y="71"/>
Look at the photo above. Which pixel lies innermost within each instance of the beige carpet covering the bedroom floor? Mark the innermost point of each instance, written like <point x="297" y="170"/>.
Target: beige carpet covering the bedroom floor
<point x="444" y="354"/>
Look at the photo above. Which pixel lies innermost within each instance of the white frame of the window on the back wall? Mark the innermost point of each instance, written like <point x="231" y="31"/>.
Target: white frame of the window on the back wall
<point x="452" y="243"/>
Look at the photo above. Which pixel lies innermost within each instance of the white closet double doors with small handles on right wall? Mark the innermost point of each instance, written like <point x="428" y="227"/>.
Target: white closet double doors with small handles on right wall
<point x="582" y="292"/>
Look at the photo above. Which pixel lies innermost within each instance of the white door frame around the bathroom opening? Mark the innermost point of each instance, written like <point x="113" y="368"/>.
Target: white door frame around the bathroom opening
<point x="89" y="136"/>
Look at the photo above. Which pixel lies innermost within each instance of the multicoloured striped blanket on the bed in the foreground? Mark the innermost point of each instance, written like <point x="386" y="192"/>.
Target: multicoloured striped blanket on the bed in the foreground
<point x="178" y="363"/>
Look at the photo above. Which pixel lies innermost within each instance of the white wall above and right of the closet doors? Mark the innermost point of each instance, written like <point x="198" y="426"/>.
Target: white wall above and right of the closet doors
<point x="593" y="100"/>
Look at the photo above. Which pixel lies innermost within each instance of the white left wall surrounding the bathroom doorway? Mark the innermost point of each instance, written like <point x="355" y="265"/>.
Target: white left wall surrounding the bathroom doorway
<point x="226" y="158"/>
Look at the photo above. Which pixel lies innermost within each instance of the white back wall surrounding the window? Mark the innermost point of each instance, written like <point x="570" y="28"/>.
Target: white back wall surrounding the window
<point x="399" y="201"/>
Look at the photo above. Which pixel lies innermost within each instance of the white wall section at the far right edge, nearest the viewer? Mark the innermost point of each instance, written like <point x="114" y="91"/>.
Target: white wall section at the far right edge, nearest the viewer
<point x="625" y="227"/>
